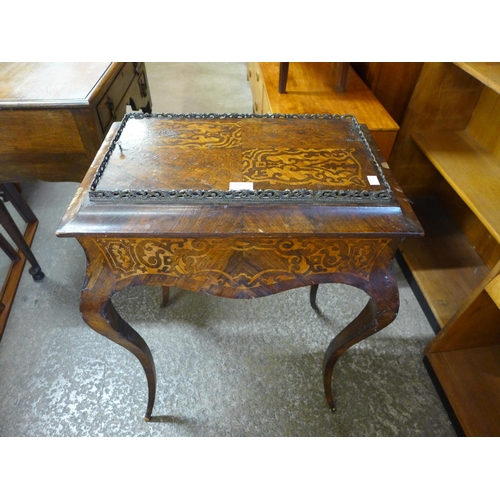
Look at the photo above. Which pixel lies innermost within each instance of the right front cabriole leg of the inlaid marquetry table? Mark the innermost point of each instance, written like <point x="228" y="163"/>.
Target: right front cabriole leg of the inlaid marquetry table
<point x="380" y="311"/>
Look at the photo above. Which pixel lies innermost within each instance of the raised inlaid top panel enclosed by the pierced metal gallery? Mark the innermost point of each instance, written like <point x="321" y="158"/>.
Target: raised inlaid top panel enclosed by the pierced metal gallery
<point x="242" y="158"/>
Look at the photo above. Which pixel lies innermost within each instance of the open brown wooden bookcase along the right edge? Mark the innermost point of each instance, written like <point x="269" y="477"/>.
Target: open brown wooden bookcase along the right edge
<point x="447" y="160"/>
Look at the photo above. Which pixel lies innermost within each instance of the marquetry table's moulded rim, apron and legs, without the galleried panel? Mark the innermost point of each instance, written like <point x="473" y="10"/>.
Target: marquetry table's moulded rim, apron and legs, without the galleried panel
<point x="237" y="251"/>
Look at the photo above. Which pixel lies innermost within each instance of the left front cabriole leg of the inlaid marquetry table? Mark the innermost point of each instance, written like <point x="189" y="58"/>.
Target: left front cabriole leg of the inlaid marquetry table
<point x="100" y="314"/>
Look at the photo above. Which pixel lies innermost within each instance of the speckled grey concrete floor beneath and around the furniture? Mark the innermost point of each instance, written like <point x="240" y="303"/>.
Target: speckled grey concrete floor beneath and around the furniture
<point x="225" y="367"/>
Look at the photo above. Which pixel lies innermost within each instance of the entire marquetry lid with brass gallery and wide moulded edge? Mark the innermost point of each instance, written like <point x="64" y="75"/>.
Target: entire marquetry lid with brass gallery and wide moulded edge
<point x="235" y="174"/>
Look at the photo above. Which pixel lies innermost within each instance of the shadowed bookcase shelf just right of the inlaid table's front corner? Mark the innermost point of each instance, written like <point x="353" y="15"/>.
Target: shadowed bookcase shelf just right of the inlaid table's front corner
<point x="443" y="263"/>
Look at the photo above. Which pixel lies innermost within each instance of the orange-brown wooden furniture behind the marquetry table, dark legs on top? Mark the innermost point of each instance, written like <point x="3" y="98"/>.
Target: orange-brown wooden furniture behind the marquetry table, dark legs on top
<point x="311" y="89"/>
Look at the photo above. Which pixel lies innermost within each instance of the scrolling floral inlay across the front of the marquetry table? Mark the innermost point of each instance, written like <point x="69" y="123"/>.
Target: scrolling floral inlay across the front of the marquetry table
<point x="236" y="263"/>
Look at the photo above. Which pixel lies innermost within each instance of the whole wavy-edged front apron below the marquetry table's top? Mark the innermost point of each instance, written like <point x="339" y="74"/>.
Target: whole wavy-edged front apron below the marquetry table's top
<point x="238" y="267"/>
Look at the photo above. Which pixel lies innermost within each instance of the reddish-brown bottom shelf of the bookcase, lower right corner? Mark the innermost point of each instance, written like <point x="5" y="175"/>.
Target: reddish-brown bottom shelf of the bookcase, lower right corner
<point x="471" y="380"/>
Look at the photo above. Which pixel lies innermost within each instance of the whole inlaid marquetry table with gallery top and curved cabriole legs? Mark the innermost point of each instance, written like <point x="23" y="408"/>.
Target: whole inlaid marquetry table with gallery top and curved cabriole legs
<point x="239" y="206"/>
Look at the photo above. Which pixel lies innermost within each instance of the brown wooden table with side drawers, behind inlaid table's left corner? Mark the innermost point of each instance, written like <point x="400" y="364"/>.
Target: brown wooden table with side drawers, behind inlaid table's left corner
<point x="54" y="116"/>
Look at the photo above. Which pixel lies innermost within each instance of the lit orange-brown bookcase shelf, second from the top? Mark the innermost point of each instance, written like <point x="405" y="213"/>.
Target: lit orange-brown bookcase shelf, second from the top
<point x="469" y="169"/>
